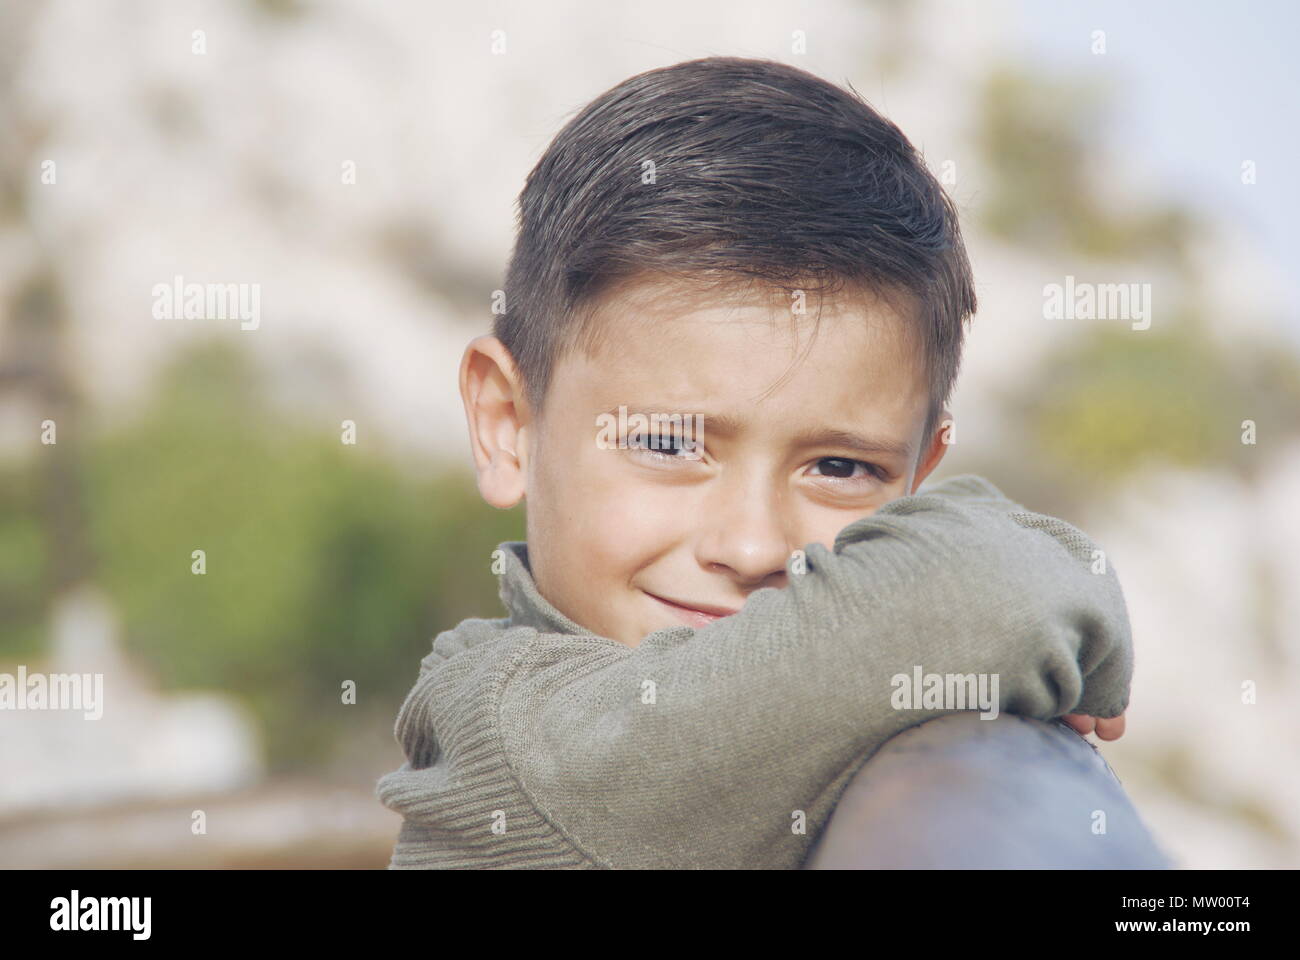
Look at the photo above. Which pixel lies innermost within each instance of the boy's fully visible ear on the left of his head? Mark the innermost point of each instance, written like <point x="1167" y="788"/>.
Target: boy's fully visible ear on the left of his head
<point x="499" y="418"/>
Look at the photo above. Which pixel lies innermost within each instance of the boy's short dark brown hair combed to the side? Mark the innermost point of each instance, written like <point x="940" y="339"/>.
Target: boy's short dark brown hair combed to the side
<point x="761" y="172"/>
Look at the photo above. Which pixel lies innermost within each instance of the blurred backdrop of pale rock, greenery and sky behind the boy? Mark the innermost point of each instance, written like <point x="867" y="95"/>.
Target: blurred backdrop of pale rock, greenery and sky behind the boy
<point x="361" y="162"/>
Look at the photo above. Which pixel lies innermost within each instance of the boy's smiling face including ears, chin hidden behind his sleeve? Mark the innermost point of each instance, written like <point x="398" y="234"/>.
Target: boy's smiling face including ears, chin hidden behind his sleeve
<point x="625" y="540"/>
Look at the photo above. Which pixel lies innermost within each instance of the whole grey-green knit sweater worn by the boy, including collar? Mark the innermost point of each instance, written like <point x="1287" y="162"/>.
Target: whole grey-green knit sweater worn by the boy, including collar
<point x="534" y="743"/>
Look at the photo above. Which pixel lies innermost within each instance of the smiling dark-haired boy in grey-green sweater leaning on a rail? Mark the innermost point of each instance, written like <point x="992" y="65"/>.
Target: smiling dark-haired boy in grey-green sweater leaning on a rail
<point x="734" y="318"/>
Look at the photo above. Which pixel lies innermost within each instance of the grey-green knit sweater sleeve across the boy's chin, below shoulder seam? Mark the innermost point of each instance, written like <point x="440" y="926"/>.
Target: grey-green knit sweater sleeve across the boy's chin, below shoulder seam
<point x="729" y="746"/>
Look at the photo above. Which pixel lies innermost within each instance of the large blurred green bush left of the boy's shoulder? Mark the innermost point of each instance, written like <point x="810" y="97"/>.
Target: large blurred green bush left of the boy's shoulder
<point x="326" y="563"/>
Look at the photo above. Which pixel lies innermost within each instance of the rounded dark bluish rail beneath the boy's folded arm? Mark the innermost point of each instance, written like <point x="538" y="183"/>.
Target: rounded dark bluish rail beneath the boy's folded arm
<point x="960" y="792"/>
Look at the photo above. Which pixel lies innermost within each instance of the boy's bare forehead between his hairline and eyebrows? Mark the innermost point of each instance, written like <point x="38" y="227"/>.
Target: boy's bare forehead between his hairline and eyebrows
<point x="742" y="349"/>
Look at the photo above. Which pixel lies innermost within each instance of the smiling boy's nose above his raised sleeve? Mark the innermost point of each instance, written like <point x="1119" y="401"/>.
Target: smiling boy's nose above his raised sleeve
<point x="747" y="531"/>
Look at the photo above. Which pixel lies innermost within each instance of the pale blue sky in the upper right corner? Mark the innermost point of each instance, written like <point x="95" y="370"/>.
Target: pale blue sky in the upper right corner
<point x="1212" y="85"/>
